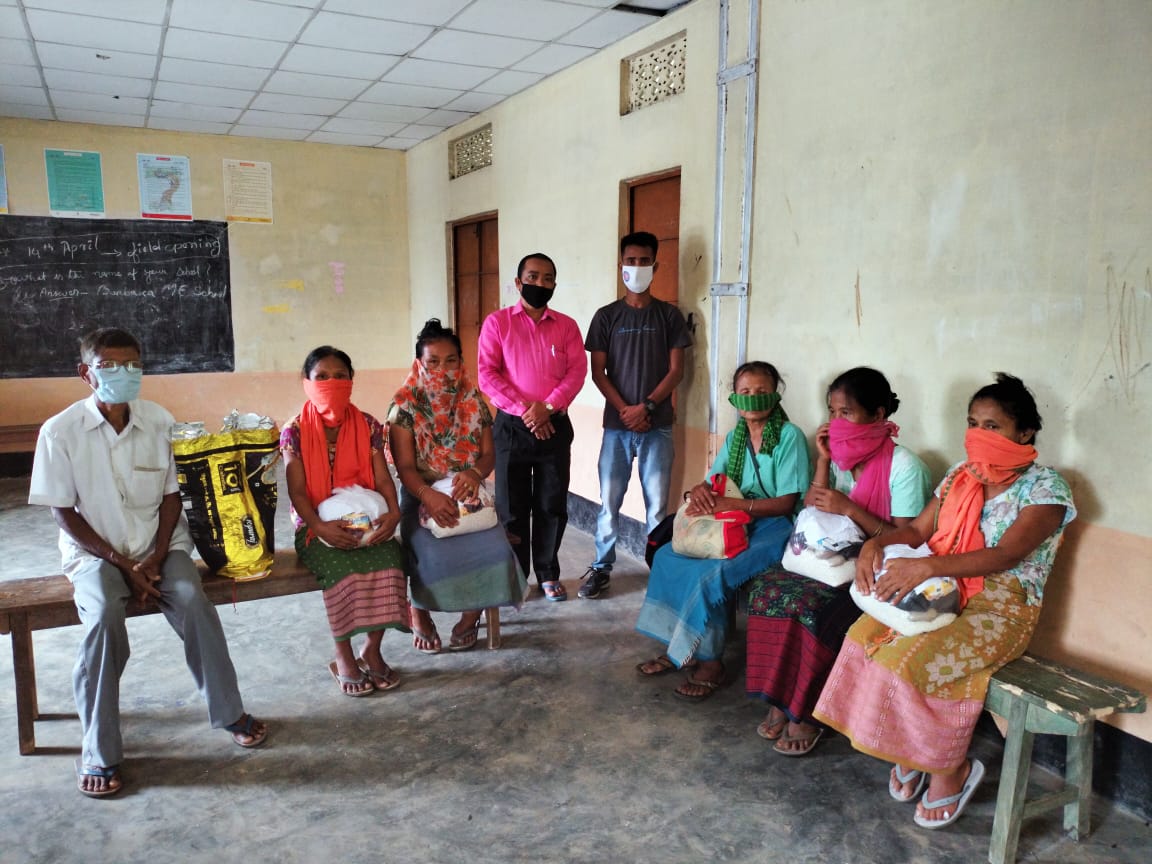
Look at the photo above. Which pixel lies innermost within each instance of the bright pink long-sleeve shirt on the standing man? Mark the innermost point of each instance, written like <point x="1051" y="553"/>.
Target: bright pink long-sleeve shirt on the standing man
<point x="522" y="361"/>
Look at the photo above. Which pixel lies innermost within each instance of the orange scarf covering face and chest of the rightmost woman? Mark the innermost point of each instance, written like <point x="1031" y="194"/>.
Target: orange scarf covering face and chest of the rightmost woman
<point x="992" y="459"/>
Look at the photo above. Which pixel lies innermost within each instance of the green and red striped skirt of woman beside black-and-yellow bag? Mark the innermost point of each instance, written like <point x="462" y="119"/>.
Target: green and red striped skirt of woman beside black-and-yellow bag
<point x="365" y="589"/>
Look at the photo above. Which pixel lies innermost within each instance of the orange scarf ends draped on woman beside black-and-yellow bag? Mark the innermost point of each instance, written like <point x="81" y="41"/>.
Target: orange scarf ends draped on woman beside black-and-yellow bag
<point x="353" y="463"/>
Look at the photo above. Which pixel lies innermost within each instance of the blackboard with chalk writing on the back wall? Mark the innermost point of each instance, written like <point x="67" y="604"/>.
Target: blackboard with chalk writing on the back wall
<point x="165" y="283"/>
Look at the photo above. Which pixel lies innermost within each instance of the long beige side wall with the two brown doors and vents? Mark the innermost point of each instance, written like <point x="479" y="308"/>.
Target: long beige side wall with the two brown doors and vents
<point x="942" y="191"/>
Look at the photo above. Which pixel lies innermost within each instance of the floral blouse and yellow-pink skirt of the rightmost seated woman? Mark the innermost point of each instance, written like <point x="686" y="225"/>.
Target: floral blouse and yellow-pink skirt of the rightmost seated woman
<point x="915" y="700"/>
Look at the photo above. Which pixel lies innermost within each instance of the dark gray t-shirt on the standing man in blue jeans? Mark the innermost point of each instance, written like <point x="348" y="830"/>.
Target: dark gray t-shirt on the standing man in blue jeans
<point x="638" y="343"/>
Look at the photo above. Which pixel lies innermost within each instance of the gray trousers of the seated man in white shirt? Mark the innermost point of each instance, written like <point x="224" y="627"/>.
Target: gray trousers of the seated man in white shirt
<point x="101" y="595"/>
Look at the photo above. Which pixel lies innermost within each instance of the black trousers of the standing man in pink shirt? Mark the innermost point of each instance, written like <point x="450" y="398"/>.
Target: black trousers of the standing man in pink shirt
<point x="532" y="480"/>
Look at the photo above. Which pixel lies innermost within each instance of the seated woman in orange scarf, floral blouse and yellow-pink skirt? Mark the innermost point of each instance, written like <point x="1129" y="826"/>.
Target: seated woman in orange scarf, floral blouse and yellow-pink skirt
<point x="995" y="526"/>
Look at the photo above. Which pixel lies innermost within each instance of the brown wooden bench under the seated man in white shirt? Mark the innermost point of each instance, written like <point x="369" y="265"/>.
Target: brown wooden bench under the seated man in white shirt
<point x="47" y="603"/>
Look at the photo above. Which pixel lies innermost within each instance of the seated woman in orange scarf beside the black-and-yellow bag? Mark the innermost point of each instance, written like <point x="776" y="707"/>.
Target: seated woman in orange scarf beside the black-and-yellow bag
<point x="331" y="444"/>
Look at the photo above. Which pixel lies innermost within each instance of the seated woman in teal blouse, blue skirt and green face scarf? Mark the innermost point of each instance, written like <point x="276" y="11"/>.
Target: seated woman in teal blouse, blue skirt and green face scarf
<point x="688" y="600"/>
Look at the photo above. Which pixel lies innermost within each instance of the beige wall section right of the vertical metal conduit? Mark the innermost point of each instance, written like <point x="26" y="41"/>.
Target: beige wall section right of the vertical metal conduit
<point x="983" y="173"/>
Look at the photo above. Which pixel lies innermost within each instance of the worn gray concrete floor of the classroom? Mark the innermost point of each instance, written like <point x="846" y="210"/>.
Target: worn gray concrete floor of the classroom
<point x="552" y="749"/>
